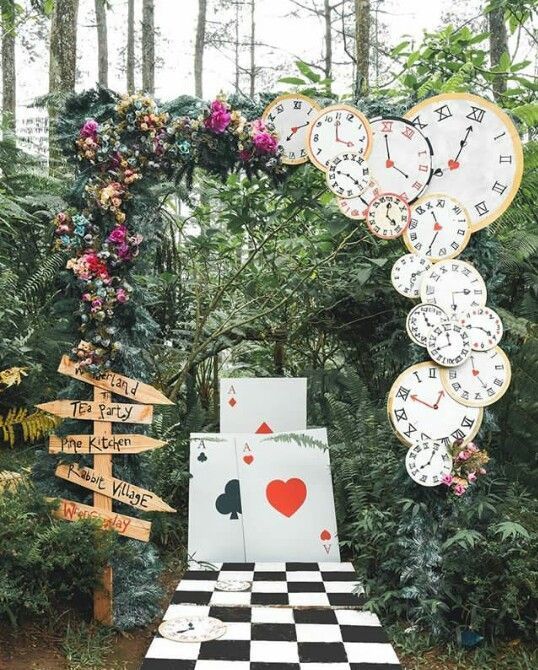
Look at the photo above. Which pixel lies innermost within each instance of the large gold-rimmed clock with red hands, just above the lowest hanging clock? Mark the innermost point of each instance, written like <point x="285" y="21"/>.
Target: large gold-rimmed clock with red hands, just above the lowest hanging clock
<point x="421" y="410"/>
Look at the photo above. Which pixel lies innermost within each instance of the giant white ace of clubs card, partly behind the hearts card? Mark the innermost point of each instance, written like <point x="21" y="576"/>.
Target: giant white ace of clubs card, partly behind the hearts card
<point x="215" y="511"/>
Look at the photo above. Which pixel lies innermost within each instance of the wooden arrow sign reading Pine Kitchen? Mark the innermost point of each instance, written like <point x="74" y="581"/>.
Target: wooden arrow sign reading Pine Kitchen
<point x="102" y="444"/>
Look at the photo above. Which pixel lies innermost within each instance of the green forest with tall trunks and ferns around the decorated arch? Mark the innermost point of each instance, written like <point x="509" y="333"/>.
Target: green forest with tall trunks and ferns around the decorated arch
<point x="315" y="299"/>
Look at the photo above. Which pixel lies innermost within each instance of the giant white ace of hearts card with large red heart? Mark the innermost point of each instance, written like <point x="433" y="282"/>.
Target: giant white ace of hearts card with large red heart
<point x="287" y="498"/>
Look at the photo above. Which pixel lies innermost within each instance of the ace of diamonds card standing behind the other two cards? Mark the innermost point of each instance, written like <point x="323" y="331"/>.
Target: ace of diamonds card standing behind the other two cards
<point x="262" y="405"/>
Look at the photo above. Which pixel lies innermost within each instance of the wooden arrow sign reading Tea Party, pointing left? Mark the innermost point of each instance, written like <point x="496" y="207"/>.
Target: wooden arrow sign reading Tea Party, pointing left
<point x="99" y="411"/>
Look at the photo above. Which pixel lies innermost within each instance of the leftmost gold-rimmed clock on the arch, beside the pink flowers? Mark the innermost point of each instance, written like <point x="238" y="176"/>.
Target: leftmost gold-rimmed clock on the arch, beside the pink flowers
<point x="291" y="115"/>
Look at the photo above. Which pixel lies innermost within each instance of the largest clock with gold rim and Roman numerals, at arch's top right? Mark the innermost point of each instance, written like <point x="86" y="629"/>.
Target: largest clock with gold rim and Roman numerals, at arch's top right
<point x="478" y="157"/>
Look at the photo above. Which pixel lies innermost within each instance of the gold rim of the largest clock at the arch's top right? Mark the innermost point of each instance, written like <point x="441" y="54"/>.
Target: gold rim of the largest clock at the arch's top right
<point x="512" y="131"/>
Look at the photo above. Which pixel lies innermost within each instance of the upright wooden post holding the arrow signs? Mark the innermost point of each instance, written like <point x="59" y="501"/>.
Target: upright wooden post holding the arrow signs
<point x="102" y="463"/>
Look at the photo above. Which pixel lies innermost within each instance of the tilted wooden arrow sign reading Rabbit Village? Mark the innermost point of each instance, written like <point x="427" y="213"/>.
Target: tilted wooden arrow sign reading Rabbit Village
<point x="113" y="488"/>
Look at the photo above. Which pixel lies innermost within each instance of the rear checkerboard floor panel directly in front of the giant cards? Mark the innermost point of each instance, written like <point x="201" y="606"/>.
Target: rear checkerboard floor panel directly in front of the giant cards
<point x="273" y="584"/>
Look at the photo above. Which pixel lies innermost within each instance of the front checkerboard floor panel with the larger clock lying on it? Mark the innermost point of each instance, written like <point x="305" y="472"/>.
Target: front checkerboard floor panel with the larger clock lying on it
<point x="278" y="638"/>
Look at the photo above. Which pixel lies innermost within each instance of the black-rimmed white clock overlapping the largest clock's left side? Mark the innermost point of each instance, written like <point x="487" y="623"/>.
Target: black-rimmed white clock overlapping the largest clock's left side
<point x="401" y="158"/>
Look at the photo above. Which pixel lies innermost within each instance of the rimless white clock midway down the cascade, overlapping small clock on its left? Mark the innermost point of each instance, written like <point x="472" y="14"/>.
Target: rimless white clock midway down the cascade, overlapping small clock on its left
<point x="455" y="286"/>
